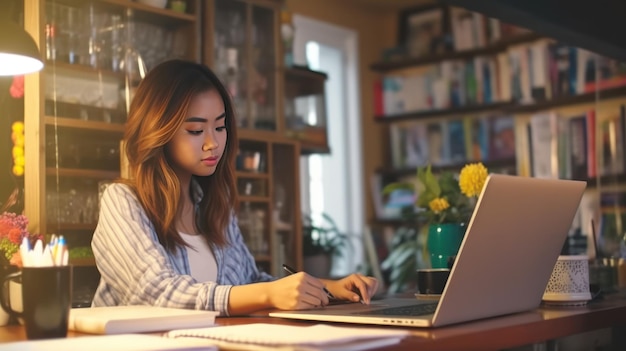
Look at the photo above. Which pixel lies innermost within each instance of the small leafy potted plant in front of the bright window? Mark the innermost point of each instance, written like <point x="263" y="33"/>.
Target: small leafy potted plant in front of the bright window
<point x="321" y="241"/>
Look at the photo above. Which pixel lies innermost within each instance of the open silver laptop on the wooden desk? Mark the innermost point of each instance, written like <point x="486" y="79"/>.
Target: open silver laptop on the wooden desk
<point x="511" y="245"/>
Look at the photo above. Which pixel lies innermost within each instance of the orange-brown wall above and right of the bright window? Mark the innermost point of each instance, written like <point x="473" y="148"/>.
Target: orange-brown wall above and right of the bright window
<point x="376" y="30"/>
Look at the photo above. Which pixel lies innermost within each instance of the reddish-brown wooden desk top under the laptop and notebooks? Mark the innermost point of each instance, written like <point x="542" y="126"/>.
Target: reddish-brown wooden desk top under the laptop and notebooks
<point x="499" y="333"/>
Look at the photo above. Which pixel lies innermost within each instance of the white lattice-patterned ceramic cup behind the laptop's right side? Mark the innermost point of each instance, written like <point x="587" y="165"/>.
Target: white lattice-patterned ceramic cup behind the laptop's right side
<point x="569" y="282"/>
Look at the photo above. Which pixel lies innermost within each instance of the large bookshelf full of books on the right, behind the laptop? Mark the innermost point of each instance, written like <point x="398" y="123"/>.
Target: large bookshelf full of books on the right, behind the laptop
<point x="567" y="106"/>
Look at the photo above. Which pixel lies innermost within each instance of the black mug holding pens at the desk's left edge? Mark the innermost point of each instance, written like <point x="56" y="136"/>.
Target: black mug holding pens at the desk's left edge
<point x="46" y="300"/>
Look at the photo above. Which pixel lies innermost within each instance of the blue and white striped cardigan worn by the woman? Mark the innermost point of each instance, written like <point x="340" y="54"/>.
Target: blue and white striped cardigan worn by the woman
<point x="137" y="270"/>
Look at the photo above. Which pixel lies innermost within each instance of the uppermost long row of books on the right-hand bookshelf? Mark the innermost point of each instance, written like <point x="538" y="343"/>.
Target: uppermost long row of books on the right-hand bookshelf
<point x="524" y="73"/>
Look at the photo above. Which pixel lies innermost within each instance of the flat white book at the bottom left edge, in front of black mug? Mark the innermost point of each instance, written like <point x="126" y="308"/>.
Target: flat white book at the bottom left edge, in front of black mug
<point x="121" y="342"/>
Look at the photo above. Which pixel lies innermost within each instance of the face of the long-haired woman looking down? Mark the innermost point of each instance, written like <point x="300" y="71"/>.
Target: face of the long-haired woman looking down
<point x="198" y="145"/>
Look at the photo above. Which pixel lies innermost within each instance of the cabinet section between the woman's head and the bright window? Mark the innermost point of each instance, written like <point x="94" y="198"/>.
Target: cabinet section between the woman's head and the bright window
<point x="243" y="47"/>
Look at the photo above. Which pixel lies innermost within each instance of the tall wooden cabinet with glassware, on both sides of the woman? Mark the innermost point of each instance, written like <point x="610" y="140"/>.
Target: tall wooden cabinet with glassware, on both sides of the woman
<point x="76" y="108"/>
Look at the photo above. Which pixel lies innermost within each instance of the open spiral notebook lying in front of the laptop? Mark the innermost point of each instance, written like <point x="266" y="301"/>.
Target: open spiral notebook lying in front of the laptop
<point x="265" y="336"/>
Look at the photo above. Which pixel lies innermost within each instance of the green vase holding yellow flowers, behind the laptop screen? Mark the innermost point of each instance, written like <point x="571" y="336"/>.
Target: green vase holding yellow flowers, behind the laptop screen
<point x="444" y="241"/>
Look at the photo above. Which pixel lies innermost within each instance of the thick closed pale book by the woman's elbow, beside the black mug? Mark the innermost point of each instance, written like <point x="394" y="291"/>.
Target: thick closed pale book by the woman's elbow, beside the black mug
<point x="136" y="319"/>
